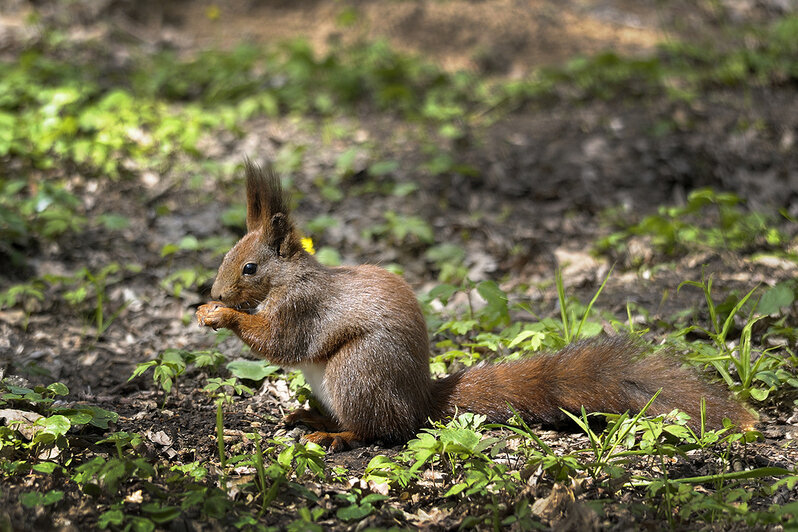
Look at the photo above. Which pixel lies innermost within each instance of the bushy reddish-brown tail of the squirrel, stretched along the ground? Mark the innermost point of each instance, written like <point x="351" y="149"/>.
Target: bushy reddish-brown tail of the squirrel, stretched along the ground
<point x="603" y="376"/>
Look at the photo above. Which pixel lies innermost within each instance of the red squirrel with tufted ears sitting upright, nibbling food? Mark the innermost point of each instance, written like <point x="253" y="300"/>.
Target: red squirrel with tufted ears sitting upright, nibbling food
<point x="359" y="336"/>
